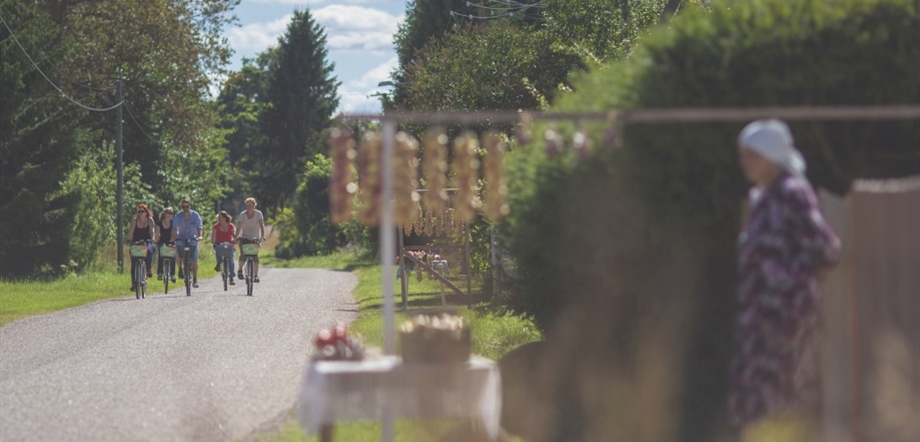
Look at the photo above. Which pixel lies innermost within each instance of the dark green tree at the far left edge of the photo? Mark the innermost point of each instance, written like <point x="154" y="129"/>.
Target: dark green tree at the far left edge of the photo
<point x="37" y="144"/>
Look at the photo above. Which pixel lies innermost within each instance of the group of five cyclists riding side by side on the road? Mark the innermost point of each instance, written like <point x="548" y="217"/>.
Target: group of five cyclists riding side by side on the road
<point x="185" y="228"/>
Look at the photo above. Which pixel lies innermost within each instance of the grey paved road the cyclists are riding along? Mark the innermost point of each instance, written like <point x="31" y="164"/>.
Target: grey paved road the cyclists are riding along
<point x="210" y="367"/>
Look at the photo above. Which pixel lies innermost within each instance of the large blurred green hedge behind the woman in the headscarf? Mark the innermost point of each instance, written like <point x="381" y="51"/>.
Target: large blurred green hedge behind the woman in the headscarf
<point x="598" y="237"/>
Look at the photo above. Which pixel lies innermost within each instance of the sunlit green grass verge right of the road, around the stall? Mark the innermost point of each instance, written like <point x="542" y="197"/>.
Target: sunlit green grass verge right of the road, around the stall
<point x="493" y="335"/>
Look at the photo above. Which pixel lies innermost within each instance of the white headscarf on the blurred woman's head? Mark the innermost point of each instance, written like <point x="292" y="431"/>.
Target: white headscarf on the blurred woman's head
<point x="773" y="140"/>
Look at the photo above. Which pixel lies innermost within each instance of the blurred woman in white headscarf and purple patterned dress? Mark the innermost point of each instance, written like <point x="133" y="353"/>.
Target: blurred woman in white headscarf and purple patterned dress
<point x="784" y="251"/>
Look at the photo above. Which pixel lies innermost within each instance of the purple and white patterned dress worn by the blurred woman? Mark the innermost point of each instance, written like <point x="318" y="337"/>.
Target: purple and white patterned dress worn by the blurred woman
<point x="775" y="359"/>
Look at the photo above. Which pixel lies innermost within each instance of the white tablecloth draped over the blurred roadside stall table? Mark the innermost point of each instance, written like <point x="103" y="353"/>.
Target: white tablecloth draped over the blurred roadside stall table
<point x="340" y="390"/>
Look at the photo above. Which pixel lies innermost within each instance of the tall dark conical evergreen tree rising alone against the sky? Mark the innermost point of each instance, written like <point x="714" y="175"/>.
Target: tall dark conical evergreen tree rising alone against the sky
<point x="303" y="95"/>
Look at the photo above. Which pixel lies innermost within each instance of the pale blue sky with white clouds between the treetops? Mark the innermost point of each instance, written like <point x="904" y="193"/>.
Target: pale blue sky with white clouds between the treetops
<point x="359" y="38"/>
